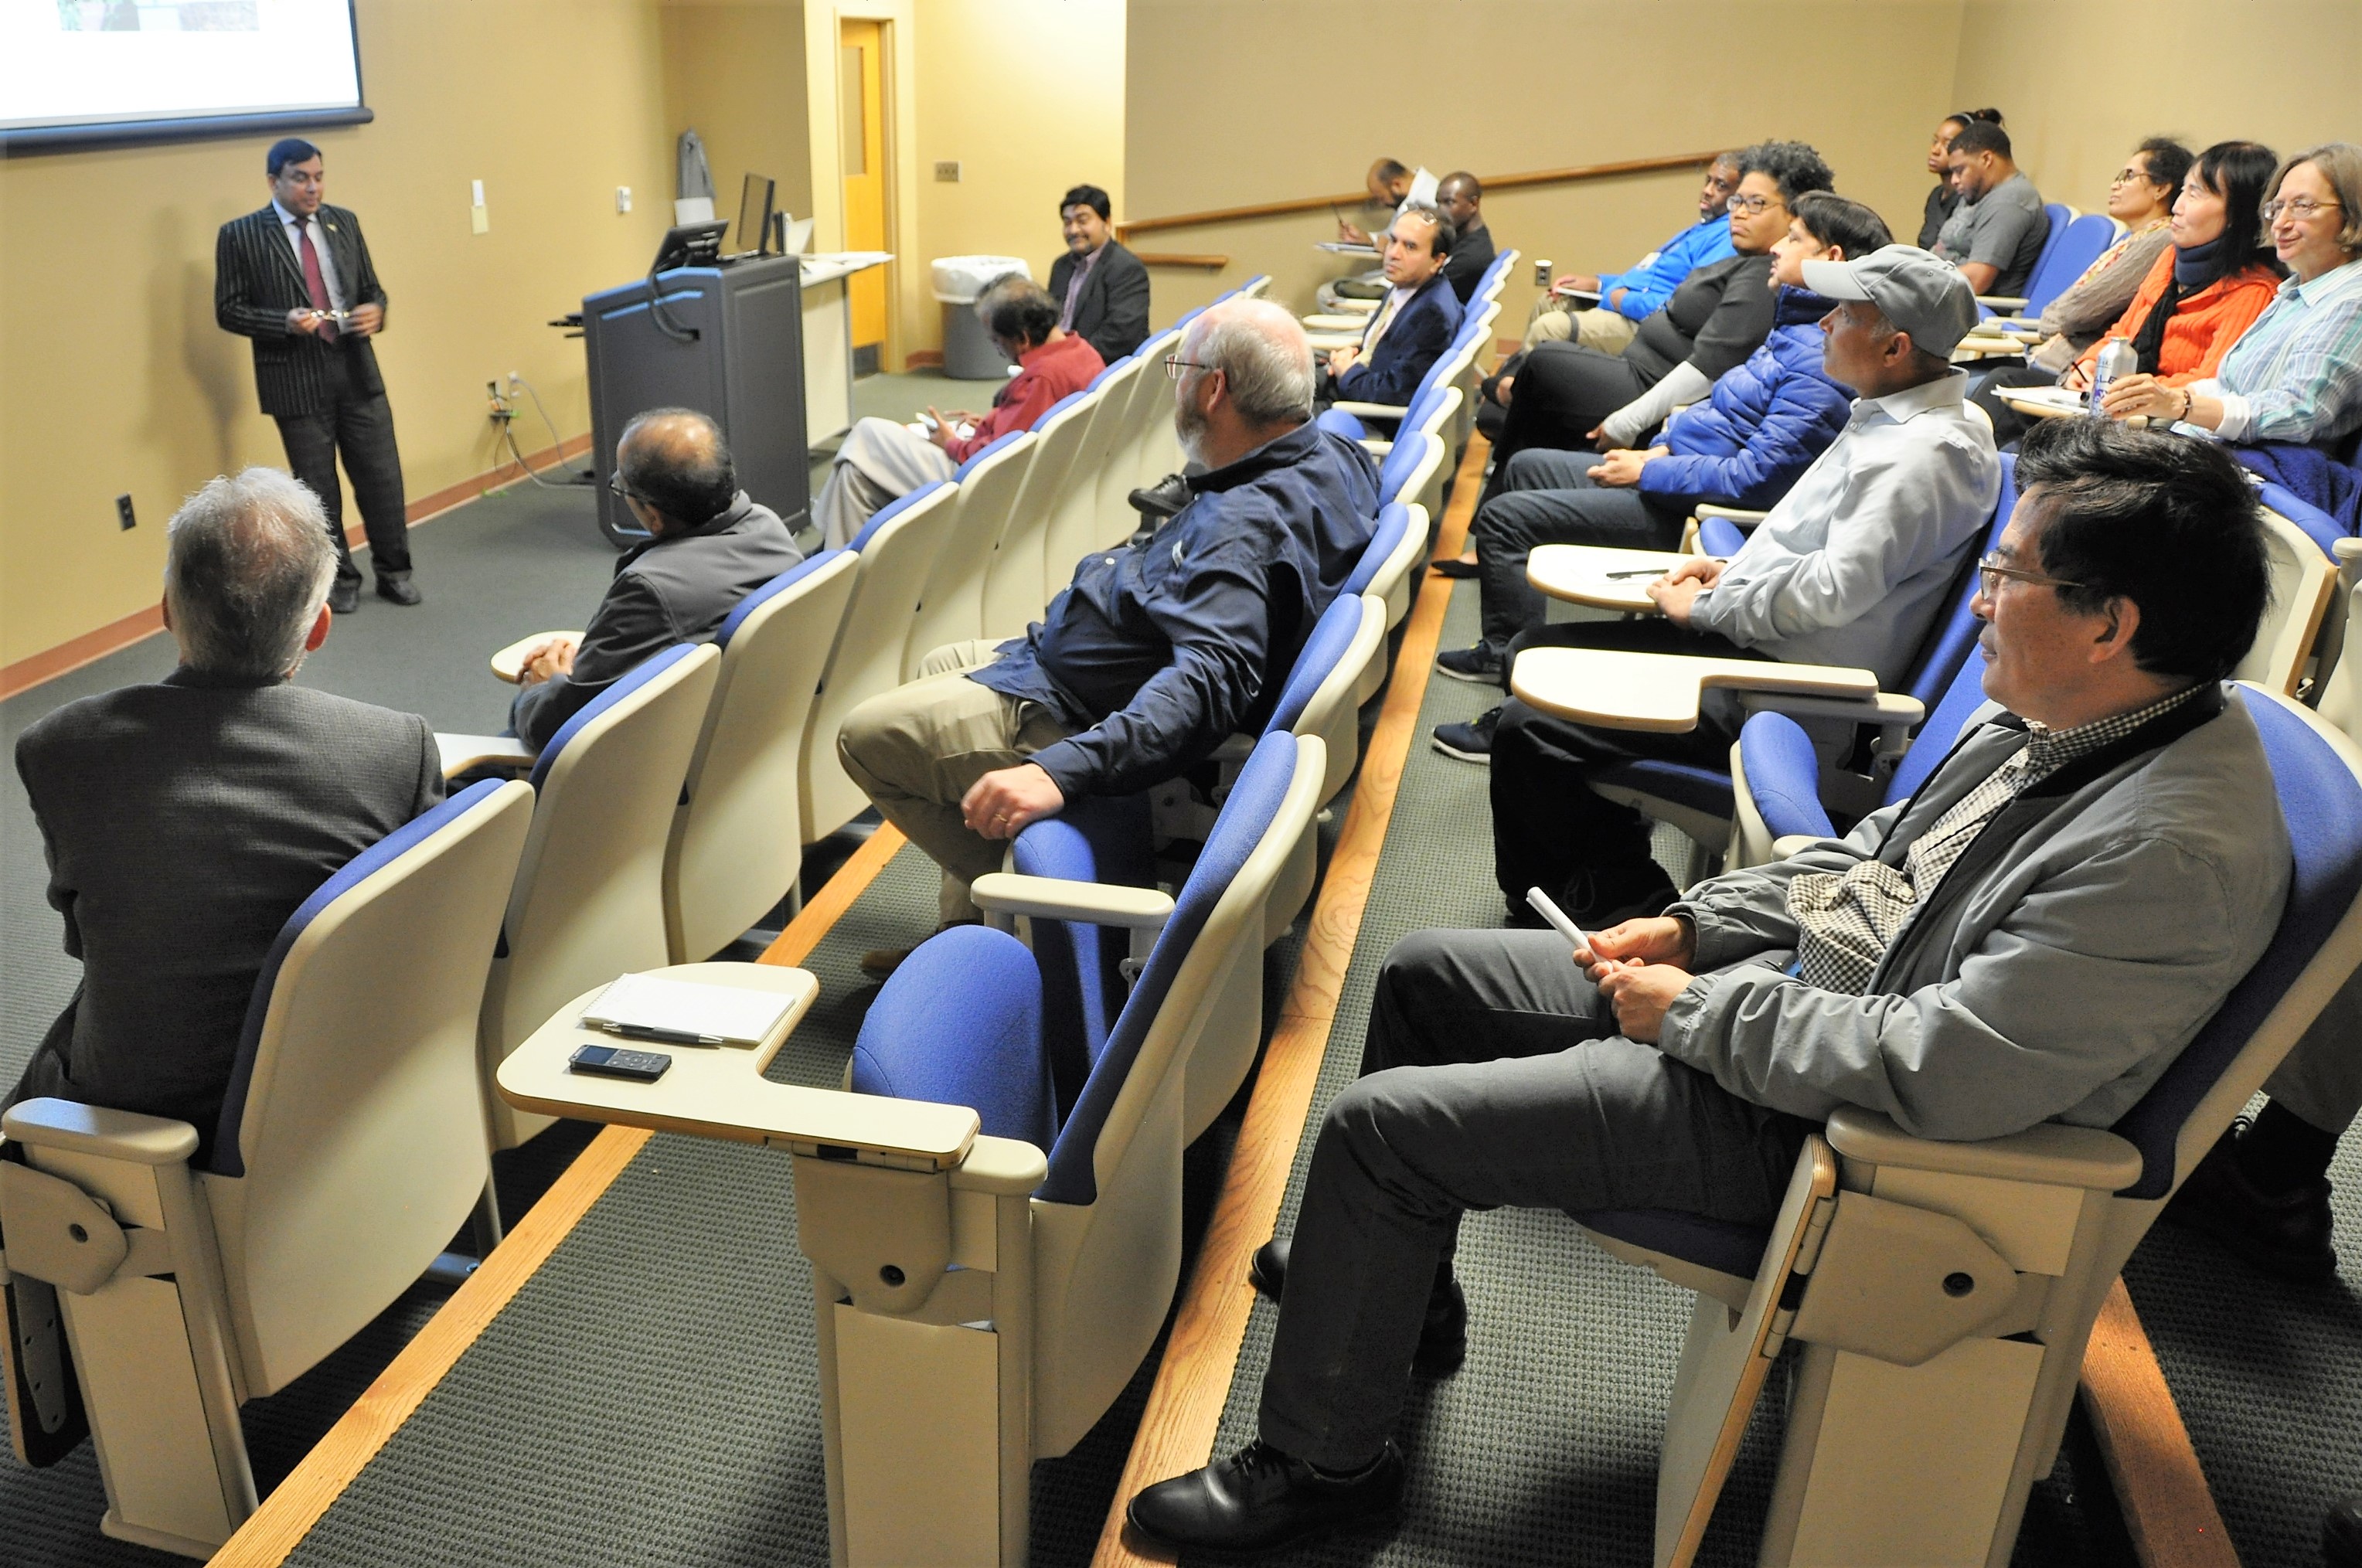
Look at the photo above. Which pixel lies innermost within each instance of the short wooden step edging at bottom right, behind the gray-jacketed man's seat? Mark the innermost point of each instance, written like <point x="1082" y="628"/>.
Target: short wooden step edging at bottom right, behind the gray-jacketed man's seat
<point x="2151" y="1463"/>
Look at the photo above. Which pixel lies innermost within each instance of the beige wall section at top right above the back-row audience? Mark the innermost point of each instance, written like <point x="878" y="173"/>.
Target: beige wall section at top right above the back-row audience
<point x="2273" y="72"/>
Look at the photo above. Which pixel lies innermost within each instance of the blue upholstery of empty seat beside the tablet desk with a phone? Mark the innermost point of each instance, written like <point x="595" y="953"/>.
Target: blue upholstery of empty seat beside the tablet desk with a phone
<point x="963" y="1019"/>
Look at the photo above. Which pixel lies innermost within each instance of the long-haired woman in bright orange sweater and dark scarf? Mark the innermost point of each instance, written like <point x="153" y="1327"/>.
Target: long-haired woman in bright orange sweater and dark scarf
<point x="2203" y="292"/>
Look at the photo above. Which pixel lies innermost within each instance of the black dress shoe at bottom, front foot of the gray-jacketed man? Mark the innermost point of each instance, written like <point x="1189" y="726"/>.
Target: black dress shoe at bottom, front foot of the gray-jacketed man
<point x="1260" y="1498"/>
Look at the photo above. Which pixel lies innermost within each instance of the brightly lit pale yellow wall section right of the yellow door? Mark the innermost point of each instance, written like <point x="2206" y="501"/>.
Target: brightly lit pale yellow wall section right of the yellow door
<point x="1029" y="96"/>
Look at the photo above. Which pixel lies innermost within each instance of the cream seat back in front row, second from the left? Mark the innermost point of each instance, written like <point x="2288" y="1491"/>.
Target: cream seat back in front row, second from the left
<point x="589" y="899"/>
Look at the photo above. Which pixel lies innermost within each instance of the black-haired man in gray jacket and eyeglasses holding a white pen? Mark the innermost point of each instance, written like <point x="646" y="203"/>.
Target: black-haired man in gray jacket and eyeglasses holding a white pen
<point x="2033" y="939"/>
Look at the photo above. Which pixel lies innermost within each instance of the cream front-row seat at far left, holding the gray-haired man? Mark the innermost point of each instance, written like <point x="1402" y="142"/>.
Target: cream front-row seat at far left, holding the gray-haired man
<point x="348" y="1151"/>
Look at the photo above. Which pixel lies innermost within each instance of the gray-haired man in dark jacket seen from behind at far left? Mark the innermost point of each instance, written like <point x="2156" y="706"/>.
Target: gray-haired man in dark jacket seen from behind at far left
<point x="190" y="818"/>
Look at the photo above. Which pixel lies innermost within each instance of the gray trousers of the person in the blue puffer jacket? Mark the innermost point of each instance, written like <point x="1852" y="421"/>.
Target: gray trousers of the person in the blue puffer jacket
<point x="1548" y="499"/>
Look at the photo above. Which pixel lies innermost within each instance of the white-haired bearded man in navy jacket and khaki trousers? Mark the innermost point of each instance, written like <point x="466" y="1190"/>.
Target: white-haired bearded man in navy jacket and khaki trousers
<point x="1156" y="653"/>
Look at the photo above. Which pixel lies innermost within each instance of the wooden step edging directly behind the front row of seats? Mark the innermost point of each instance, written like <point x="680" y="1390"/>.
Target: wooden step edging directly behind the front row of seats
<point x="296" y="1503"/>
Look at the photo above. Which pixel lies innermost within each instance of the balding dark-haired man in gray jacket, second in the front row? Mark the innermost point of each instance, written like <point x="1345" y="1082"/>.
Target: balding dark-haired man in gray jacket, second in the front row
<point x="707" y="549"/>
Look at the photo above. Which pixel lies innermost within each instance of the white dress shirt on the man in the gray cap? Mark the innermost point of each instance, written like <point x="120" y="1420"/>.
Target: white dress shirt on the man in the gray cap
<point x="1853" y="566"/>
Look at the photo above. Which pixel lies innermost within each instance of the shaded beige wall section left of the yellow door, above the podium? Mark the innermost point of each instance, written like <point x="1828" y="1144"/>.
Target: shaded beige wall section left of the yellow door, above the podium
<point x="736" y="74"/>
